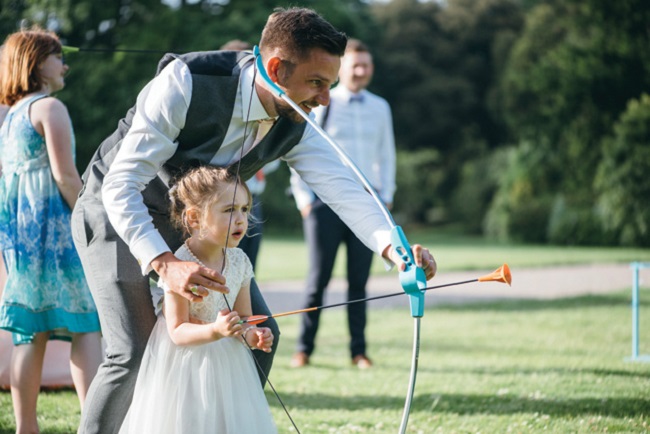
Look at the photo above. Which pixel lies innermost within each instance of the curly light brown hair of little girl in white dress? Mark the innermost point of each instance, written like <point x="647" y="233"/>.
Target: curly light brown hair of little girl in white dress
<point x="200" y="188"/>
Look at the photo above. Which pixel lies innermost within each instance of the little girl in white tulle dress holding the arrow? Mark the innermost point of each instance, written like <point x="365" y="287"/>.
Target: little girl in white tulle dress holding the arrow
<point x="197" y="374"/>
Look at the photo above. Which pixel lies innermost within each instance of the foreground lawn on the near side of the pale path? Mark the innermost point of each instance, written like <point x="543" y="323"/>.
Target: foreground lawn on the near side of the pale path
<point x="520" y="366"/>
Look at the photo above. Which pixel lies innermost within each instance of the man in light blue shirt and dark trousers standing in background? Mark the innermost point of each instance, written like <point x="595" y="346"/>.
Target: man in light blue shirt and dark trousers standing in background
<point x="361" y="124"/>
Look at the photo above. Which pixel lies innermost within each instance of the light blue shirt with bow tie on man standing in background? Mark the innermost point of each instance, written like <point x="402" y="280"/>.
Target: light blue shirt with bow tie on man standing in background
<point x="362" y="125"/>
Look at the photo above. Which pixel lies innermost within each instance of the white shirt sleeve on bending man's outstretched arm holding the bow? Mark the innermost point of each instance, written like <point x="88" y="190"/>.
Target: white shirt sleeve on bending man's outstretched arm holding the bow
<point x="335" y="183"/>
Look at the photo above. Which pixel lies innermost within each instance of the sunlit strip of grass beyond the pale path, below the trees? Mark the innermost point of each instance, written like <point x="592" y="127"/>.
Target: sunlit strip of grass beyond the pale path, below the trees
<point x="283" y="257"/>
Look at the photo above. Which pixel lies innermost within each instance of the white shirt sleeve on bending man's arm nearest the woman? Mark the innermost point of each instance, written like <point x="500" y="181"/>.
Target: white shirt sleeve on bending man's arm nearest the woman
<point x="161" y="109"/>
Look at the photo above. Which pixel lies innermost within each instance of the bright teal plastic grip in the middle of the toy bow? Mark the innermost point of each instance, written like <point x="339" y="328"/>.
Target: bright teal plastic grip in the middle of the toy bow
<point x="412" y="278"/>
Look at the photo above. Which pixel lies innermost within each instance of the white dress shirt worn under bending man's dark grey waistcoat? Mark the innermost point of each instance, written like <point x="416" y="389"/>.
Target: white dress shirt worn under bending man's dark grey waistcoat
<point x="160" y="114"/>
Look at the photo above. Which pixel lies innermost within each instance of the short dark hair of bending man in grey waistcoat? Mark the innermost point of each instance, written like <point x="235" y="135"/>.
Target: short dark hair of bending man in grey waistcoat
<point x="296" y="31"/>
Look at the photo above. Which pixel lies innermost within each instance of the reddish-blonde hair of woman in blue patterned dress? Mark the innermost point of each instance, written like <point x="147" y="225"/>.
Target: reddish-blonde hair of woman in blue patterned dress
<point x="20" y="58"/>
